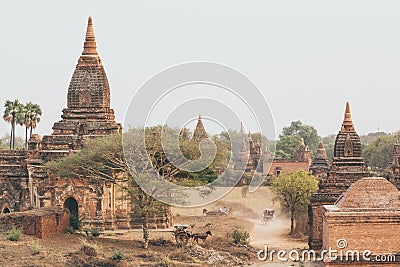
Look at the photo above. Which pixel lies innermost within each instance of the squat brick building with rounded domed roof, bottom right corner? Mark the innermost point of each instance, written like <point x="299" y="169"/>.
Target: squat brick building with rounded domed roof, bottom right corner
<point x="367" y="217"/>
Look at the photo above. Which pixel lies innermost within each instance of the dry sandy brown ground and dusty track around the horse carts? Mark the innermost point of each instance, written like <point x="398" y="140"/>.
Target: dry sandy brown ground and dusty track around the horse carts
<point x="218" y="250"/>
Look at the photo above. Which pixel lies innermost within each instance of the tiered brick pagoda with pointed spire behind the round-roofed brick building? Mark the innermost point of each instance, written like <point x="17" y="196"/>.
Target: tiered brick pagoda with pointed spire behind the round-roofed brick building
<point x="348" y="166"/>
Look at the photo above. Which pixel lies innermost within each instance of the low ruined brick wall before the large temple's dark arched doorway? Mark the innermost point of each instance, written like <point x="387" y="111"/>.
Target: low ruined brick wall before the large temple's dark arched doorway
<point x="42" y="223"/>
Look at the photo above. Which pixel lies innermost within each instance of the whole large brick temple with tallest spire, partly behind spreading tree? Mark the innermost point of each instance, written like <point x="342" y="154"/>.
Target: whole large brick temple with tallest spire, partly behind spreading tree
<point x="24" y="185"/>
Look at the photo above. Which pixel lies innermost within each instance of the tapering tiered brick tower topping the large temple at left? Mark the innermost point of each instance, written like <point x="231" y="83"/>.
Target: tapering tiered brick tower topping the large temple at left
<point x="88" y="113"/>
